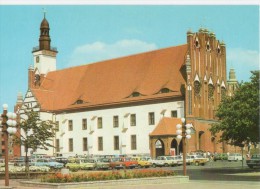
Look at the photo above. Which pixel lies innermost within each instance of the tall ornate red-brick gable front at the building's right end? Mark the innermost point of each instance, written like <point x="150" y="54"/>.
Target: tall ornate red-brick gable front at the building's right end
<point x="206" y="85"/>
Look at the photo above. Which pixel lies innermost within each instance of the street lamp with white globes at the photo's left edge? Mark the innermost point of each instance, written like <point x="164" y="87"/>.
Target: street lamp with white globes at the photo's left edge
<point x="8" y="127"/>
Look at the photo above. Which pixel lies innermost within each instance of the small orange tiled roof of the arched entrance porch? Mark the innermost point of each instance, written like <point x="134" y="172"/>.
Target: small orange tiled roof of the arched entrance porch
<point x="166" y="126"/>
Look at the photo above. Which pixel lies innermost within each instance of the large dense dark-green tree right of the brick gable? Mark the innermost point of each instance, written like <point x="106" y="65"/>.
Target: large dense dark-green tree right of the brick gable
<point x="239" y="115"/>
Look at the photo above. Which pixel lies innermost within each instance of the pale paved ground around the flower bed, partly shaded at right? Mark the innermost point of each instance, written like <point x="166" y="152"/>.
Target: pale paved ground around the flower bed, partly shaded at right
<point x="214" y="175"/>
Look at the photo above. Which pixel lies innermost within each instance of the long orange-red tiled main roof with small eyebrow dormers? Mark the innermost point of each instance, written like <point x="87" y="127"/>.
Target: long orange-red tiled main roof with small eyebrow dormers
<point x="113" y="81"/>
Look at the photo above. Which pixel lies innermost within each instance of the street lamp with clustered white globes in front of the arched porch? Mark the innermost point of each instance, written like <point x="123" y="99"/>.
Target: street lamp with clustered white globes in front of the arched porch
<point x="183" y="131"/>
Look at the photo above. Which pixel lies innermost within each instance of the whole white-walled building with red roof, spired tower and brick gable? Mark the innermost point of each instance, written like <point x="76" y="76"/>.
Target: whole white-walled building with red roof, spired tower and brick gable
<point x="126" y="105"/>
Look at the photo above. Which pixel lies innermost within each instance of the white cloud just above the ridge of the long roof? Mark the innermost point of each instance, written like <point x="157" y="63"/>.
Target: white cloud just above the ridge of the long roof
<point x="99" y="51"/>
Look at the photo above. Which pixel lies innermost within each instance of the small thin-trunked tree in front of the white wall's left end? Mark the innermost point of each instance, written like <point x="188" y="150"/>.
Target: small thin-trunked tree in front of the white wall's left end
<point x="35" y="133"/>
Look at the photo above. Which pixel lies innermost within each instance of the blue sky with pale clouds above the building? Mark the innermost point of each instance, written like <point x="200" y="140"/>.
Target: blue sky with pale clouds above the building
<point x="88" y="33"/>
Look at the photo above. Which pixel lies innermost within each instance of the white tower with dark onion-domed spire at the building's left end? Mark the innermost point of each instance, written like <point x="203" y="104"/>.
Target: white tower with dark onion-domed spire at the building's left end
<point x="44" y="56"/>
